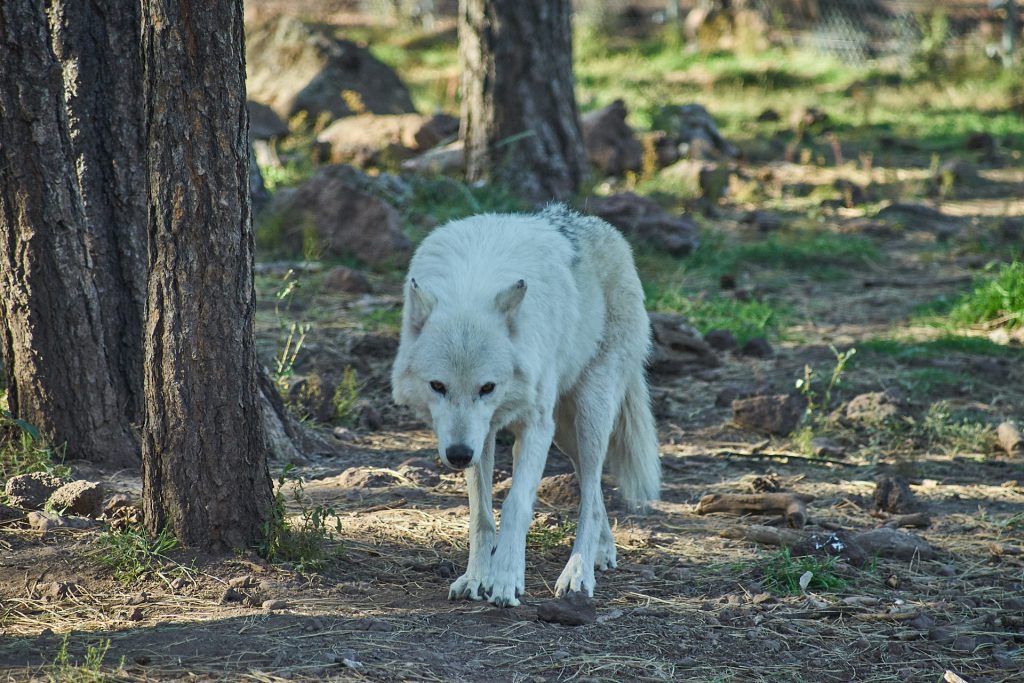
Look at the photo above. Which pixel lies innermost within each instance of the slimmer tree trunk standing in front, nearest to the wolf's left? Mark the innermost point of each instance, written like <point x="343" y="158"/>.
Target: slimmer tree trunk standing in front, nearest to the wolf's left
<point x="204" y="452"/>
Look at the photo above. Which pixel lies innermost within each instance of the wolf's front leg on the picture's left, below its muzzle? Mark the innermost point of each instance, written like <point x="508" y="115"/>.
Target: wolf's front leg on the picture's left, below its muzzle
<point x="480" y="480"/>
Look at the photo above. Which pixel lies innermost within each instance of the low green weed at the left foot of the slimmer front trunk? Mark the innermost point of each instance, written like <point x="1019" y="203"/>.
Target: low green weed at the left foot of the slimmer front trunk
<point x="135" y="556"/>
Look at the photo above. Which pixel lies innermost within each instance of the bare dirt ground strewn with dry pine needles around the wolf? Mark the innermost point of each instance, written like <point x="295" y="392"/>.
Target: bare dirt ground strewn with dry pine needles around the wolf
<point x="686" y="604"/>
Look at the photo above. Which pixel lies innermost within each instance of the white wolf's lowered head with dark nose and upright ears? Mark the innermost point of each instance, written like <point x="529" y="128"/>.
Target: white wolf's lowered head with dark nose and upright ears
<point x="457" y="364"/>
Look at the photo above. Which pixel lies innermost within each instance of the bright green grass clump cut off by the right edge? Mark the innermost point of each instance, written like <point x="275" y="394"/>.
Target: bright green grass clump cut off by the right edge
<point x="997" y="300"/>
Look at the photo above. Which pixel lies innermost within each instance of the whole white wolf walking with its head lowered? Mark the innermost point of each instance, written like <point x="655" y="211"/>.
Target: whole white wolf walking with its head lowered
<point x="535" y="323"/>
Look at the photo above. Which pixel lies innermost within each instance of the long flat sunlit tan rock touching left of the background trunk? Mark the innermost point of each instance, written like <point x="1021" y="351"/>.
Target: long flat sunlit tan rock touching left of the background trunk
<point x="370" y="140"/>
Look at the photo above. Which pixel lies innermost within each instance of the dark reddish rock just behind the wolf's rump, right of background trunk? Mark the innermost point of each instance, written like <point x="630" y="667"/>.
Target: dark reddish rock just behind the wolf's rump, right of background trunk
<point x="645" y="221"/>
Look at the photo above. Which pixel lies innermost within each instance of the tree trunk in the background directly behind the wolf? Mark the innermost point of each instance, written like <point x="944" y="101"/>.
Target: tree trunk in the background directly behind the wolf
<point x="520" y="118"/>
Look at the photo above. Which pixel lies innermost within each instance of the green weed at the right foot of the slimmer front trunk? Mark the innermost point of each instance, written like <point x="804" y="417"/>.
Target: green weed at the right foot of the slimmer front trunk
<point x="304" y="541"/>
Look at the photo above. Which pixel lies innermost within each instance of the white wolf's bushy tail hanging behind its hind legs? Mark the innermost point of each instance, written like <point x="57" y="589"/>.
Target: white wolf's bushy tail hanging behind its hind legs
<point x="633" y="457"/>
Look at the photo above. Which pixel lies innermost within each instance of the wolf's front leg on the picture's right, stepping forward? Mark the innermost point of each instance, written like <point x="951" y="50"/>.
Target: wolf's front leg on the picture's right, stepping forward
<point x="508" y="562"/>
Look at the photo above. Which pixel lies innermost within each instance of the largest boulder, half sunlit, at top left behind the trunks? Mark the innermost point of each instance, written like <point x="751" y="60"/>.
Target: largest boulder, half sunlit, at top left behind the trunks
<point x="295" y="67"/>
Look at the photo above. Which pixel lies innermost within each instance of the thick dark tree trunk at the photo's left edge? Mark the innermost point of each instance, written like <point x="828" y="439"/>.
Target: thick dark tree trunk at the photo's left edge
<point x="72" y="217"/>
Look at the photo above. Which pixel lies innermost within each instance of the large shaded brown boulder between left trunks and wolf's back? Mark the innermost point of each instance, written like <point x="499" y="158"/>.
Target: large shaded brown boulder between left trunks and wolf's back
<point x="345" y="211"/>
